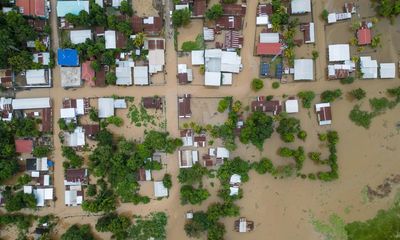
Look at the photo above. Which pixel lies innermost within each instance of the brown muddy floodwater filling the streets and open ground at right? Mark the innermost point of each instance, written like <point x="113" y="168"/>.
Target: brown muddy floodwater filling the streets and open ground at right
<point x="280" y="208"/>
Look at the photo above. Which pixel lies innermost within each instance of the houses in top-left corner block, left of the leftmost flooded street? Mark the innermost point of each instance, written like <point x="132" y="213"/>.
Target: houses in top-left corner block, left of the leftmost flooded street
<point x="37" y="13"/>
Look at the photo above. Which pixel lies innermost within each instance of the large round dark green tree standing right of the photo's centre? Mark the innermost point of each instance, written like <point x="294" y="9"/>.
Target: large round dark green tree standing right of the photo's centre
<point x="257" y="127"/>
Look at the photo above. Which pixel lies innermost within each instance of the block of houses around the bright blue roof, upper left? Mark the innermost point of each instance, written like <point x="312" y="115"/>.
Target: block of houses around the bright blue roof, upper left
<point x="131" y="67"/>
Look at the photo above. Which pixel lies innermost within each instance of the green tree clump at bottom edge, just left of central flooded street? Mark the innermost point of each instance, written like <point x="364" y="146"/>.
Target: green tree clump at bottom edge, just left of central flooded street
<point x="152" y="226"/>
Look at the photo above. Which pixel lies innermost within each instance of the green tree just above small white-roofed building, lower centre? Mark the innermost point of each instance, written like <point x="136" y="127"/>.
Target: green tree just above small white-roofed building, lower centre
<point x="235" y="166"/>
